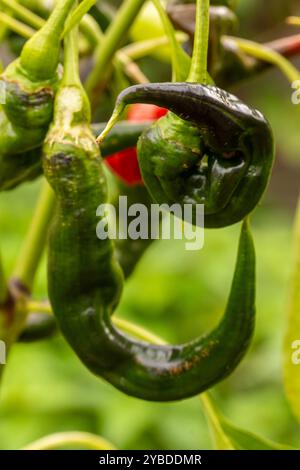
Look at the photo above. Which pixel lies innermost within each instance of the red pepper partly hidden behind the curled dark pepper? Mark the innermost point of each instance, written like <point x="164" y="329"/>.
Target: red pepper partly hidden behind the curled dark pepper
<point x="125" y="164"/>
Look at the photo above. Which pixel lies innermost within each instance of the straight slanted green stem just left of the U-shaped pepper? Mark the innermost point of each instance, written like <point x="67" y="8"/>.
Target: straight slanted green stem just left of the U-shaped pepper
<point x="34" y="243"/>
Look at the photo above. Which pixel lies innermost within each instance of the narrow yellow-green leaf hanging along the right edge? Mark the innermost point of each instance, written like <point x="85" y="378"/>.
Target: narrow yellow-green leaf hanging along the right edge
<point x="292" y="337"/>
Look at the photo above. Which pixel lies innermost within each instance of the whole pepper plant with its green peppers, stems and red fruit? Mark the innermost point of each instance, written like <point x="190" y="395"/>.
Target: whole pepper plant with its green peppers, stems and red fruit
<point x="188" y="140"/>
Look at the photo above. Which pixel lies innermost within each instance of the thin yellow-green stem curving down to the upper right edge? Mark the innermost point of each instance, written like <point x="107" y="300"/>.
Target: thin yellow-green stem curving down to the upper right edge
<point x="266" y="54"/>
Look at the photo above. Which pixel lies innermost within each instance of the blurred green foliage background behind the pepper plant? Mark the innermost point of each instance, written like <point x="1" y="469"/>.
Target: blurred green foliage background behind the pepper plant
<point x="175" y="294"/>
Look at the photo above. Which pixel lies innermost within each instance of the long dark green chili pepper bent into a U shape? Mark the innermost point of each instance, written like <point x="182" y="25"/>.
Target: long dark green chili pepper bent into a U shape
<point x="85" y="281"/>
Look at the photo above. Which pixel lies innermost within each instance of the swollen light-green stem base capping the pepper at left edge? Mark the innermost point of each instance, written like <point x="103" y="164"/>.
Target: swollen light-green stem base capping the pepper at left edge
<point x="40" y="55"/>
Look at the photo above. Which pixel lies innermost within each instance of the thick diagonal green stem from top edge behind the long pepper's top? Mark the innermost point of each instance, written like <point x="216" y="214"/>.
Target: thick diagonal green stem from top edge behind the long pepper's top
<point x="111" y="40"/>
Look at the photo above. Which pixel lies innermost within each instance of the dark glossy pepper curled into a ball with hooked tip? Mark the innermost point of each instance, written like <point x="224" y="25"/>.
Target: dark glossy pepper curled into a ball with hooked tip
<point x="210" y="149"/>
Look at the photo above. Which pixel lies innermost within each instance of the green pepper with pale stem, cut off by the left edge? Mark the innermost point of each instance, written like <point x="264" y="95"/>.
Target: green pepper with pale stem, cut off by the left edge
<point x="29" y="85"/>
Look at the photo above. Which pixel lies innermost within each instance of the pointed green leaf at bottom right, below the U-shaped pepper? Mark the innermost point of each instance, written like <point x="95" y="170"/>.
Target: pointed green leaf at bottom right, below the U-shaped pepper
<point x="227" y="436"/>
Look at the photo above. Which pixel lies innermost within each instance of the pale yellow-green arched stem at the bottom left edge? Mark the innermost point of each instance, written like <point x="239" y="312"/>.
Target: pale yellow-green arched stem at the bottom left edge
<point x="84" y="439"/>
